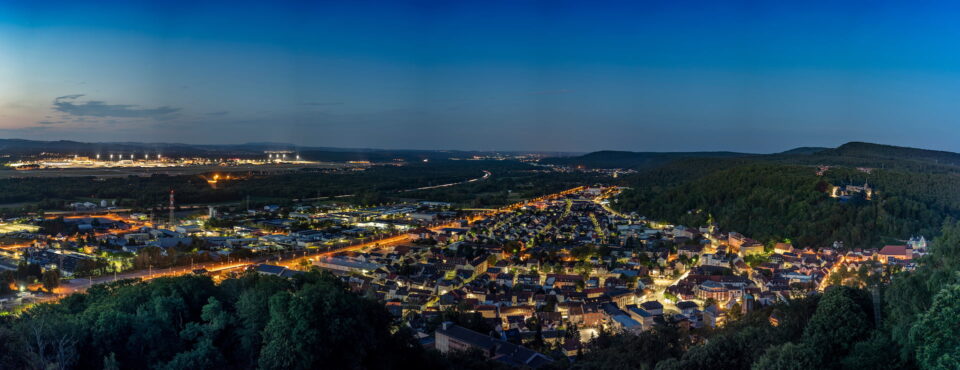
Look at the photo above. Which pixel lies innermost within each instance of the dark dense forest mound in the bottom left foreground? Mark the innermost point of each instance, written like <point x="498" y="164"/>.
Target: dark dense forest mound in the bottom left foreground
<point x="311" y="321"/>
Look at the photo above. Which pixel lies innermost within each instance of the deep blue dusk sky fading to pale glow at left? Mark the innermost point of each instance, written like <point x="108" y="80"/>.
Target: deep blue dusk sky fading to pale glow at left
<point x="754" y="76"/>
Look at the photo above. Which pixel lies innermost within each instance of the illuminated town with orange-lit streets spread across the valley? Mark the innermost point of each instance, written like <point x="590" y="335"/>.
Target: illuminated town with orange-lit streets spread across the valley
<point x="542" y="275"/>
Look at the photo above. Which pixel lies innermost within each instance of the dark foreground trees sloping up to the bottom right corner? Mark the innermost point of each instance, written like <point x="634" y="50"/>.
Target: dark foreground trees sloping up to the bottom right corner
<point x="919" y="327"/>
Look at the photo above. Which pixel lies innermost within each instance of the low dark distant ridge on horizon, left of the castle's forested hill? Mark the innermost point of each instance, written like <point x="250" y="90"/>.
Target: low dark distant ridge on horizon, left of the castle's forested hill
<point x="635" y="160"/>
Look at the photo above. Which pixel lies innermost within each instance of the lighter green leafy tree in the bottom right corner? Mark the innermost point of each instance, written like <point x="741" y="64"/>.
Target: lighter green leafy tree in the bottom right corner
<point x="936" y="335"/>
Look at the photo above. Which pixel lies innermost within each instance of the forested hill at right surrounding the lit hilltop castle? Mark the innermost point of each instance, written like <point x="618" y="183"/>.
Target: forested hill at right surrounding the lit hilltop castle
<point x="786" y="196"/>
